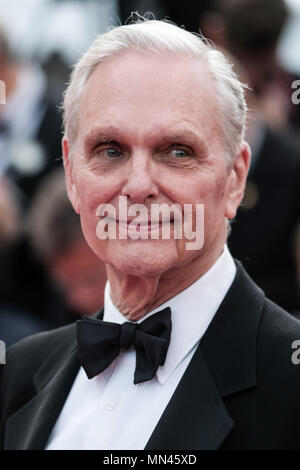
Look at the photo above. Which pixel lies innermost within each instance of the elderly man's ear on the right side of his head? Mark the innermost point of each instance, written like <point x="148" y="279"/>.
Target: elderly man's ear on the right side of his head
<point x="237" y="180"/>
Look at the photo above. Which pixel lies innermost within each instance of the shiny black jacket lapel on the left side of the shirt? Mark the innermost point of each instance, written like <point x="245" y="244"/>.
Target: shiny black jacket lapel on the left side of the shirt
<point x="30" y="426"/>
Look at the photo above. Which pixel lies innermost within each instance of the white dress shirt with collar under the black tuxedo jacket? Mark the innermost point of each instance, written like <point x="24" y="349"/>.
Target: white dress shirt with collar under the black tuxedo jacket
<point x="109" y="412"/>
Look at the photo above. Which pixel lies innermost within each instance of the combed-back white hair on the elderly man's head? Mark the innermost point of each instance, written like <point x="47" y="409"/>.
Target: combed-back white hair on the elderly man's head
<point x="160" y="37"/>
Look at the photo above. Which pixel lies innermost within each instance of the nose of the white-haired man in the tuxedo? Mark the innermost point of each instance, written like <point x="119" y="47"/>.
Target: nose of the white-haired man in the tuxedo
<point x="140" y="184"/>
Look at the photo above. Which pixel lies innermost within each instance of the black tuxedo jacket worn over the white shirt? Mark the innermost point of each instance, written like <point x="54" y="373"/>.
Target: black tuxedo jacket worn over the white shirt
<point x="241" y="389"/>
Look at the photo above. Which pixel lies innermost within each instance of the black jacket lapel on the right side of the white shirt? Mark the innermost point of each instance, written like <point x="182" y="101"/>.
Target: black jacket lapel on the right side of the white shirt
<point x="224" y="363"/>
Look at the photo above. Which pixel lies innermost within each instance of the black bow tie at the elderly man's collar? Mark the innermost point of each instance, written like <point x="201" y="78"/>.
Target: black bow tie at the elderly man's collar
<point x="99" y="342"/>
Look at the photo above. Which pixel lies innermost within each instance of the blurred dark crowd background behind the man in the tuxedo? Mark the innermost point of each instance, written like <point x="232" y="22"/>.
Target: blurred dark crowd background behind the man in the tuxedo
<point x="48" y="275"/>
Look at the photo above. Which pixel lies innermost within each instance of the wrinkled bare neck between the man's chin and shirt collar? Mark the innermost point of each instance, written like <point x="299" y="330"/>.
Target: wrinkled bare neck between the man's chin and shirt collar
<point x="126" y="290"/>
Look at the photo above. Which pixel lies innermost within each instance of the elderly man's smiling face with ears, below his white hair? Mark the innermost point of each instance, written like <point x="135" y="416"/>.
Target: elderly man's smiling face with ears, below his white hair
<point x="148" y="130"/>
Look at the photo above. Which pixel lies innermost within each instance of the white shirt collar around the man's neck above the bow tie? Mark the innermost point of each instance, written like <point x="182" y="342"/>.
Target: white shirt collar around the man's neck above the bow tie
<point x="192" y="311"/>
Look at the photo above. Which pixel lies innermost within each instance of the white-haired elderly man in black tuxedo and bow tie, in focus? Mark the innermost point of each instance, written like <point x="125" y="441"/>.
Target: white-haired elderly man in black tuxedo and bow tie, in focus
<point x="188" y="353"/>
